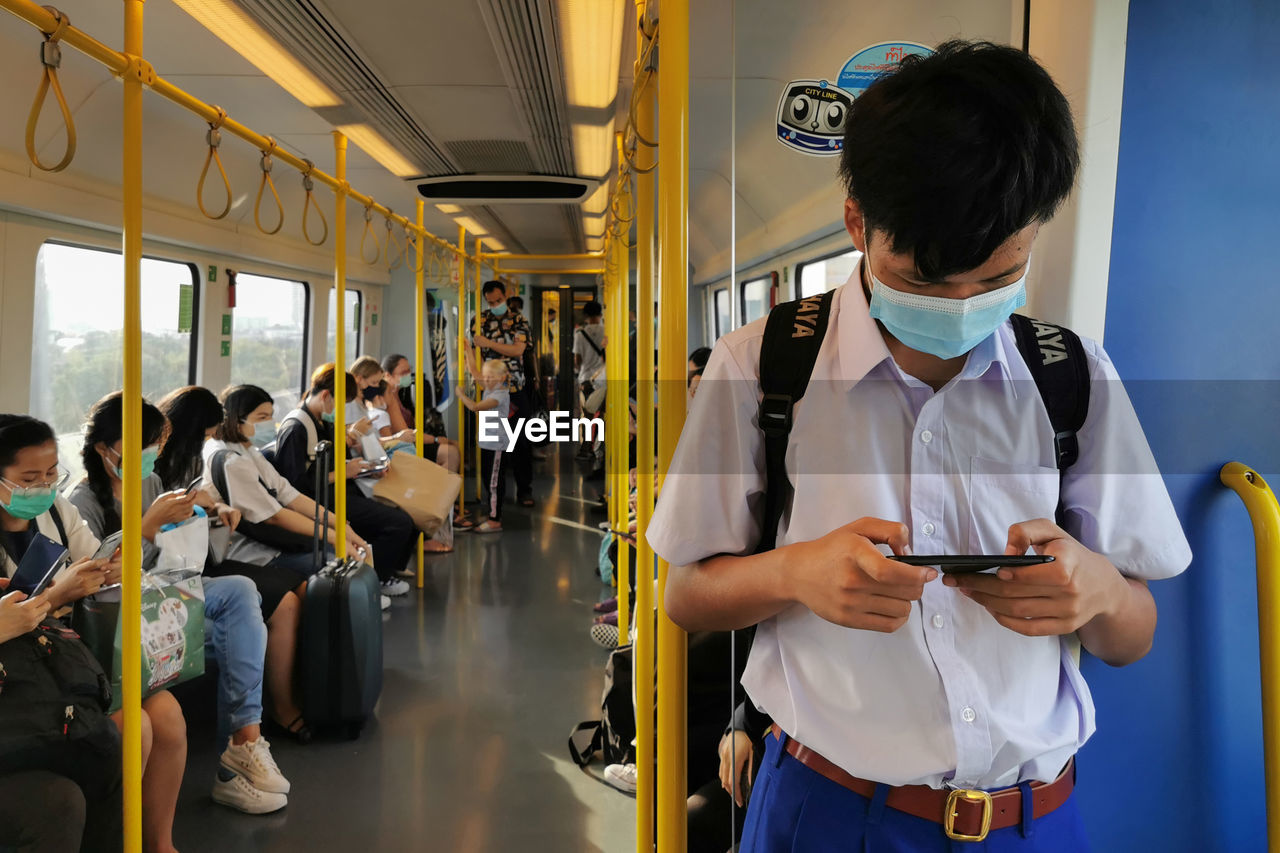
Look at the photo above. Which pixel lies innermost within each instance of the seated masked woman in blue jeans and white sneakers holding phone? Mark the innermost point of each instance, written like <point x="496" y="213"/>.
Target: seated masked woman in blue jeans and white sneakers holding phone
<point x="248" y="778"/>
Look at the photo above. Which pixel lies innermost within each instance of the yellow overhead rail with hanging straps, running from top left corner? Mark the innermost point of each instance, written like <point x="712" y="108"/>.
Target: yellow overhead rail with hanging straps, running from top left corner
<point x="120" y="63"/>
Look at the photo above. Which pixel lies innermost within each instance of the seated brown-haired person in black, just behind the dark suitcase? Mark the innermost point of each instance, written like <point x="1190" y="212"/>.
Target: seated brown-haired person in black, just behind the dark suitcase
<point x="388" y="530"/>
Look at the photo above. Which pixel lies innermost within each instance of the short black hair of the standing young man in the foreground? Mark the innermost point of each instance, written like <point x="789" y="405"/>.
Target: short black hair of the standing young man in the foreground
<point x="949" y="156"/>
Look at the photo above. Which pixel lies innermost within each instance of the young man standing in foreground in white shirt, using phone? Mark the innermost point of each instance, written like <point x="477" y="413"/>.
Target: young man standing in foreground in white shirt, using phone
<point x="913" y="710"/>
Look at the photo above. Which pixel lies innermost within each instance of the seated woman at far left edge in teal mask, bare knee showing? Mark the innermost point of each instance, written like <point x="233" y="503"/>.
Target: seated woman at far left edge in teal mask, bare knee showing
<point x="30" y="478"/>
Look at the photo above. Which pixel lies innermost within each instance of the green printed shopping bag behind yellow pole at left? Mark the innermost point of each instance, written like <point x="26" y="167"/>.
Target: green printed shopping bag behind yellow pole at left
<point x="173" y="631"/>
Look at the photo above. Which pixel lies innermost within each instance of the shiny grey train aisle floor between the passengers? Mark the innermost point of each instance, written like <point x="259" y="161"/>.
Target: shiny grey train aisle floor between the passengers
<point x="487" y="670"/>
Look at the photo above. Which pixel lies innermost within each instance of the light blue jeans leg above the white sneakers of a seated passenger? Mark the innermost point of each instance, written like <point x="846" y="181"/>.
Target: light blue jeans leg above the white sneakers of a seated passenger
<point x="236" y="638"/>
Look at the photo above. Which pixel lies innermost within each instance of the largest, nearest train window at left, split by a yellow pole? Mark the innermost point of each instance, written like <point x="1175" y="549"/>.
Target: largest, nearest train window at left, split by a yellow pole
<point x="79" y="336"/>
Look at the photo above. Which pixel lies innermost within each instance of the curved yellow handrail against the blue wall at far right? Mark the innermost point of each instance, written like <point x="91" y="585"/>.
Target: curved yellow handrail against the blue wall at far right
<point x="1265" y="516"/>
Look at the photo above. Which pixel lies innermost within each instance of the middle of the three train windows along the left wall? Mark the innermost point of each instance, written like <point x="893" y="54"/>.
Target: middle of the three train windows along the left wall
<point x="269" y="336"/>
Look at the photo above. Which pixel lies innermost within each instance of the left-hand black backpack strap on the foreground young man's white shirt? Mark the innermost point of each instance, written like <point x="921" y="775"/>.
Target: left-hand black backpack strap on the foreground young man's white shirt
<point x="793" y="336"/>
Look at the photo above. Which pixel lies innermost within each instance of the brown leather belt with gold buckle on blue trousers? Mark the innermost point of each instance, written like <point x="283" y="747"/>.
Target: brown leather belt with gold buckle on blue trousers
<point x="966" y="815"/>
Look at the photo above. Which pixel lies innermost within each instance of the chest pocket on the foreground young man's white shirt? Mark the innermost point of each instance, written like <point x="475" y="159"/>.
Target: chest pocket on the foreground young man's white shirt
<point x="1003" y="495"/>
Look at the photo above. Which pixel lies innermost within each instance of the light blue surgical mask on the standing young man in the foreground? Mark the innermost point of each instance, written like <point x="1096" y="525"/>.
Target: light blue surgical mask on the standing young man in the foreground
<point x="941" y="327"/>
